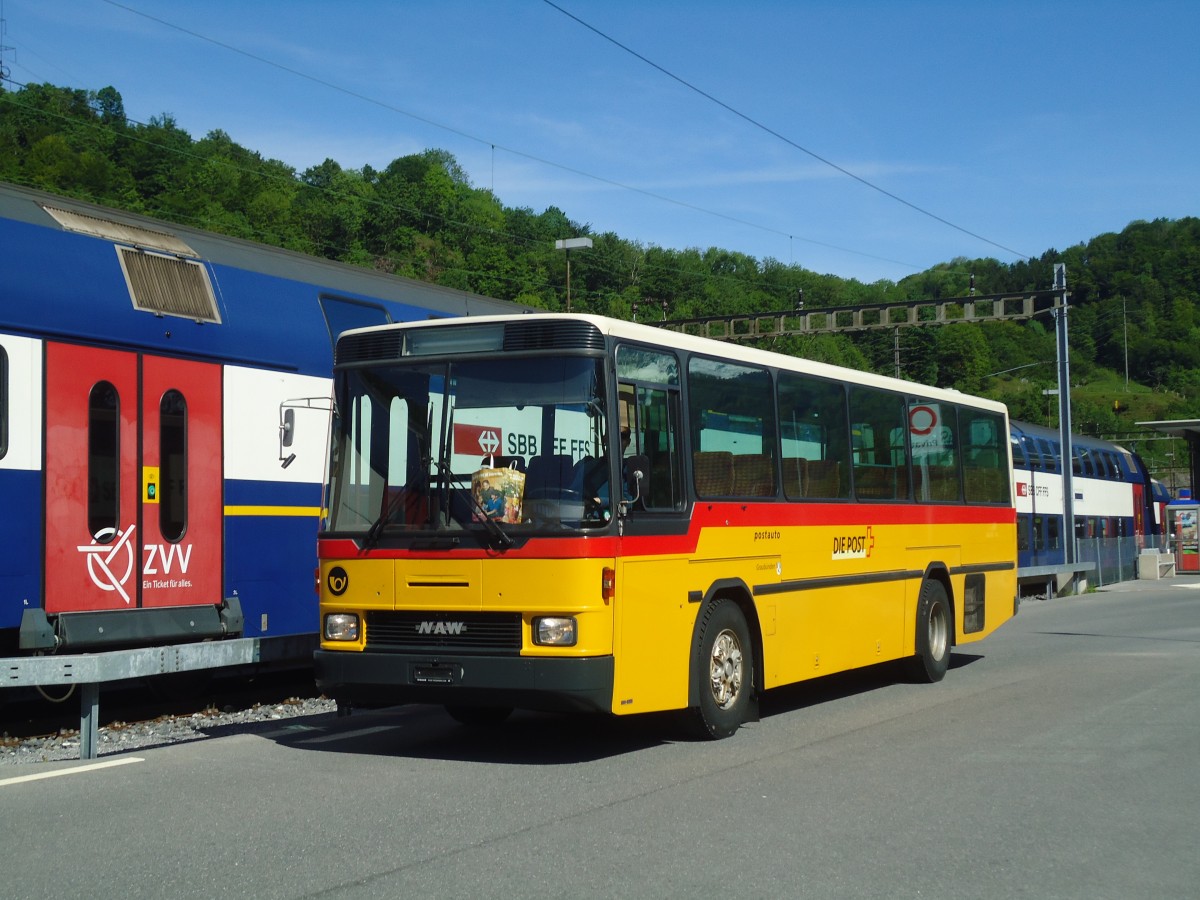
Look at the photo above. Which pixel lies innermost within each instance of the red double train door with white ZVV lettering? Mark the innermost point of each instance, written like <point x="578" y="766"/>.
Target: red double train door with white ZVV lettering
<point x="134" y="482"/>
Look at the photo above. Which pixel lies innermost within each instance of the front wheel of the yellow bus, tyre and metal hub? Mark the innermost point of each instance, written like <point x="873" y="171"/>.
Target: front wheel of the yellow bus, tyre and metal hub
<point x="724" y="671"/>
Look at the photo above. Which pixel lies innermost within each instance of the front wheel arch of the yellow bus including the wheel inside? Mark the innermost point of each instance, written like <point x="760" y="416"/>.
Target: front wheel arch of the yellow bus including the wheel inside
<point x="725" y="667"/>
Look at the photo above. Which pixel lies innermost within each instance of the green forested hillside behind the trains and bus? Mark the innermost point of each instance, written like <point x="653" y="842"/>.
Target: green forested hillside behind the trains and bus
<point x="1135" y="293"/>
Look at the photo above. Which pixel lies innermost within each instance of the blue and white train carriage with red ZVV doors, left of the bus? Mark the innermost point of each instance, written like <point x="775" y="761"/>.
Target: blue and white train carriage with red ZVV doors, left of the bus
<point x="165" y="400"/>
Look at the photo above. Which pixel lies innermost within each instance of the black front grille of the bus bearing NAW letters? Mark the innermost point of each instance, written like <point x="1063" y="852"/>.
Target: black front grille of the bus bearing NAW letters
<point x="446" y="632"/>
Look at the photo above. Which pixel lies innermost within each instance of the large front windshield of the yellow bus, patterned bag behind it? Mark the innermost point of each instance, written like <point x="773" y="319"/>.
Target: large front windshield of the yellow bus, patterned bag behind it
<point x="488" y="446"/>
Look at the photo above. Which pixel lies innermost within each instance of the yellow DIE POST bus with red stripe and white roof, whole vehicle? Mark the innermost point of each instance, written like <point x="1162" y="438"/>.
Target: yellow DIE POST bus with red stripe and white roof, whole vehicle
<point x="573" y="513"/>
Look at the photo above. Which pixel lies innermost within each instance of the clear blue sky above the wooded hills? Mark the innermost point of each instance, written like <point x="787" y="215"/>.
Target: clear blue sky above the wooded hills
<point x="968" y="129"/>
